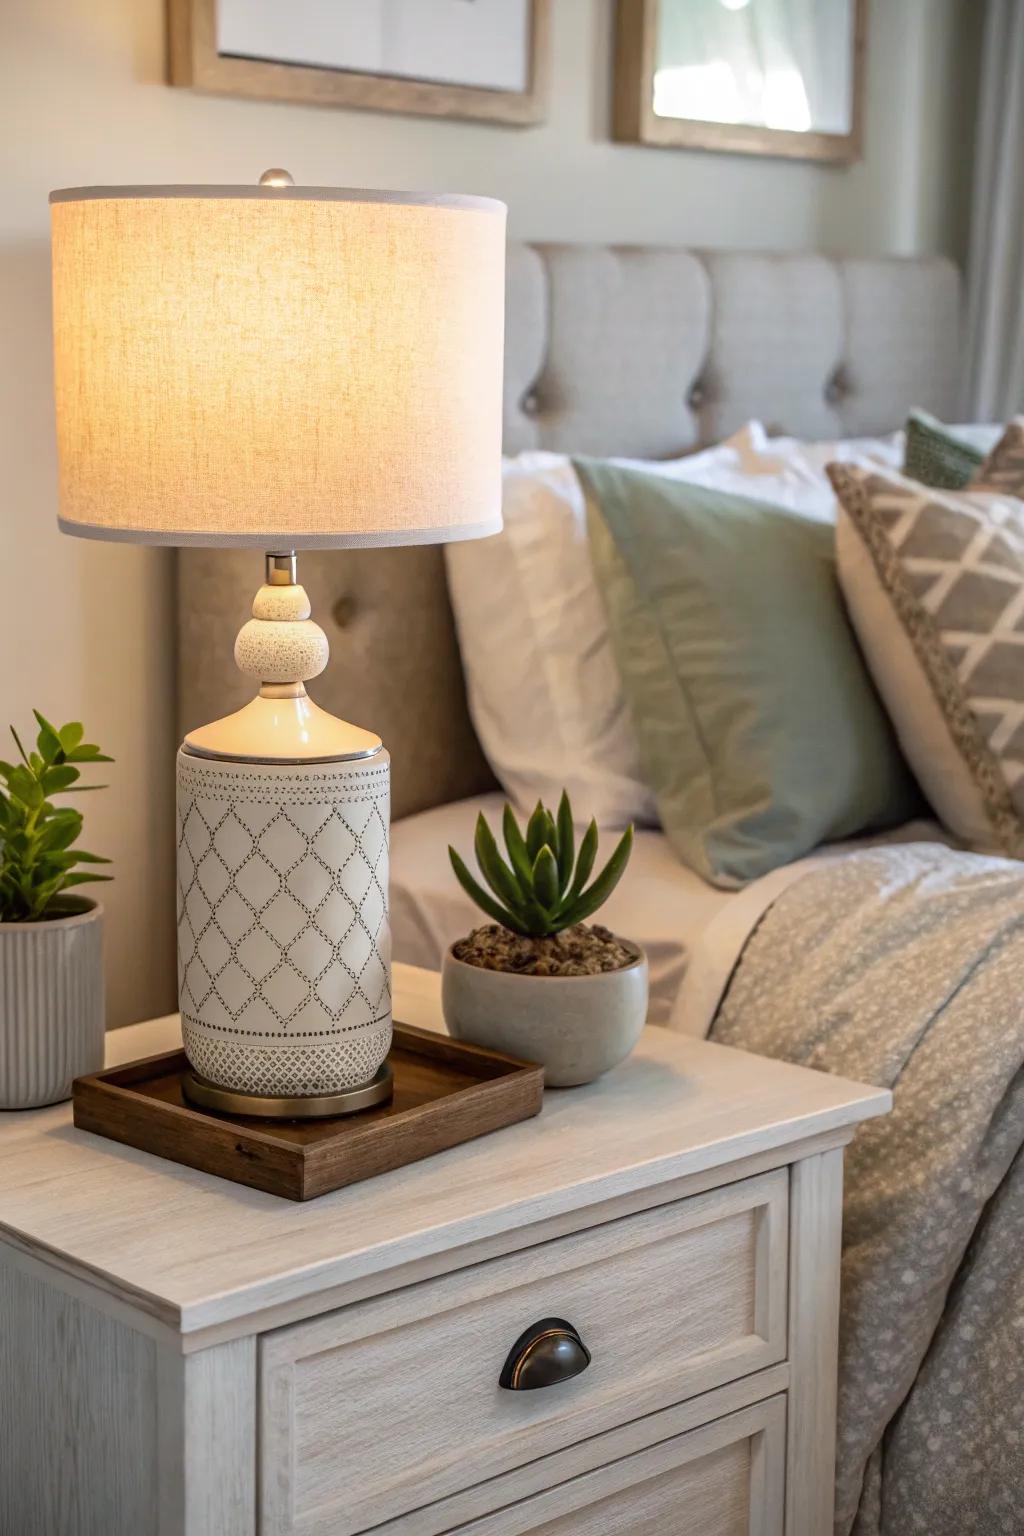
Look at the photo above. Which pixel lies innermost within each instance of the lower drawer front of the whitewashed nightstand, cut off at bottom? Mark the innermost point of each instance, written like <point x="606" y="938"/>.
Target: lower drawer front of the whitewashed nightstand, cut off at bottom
<point x="724" y="1480"/>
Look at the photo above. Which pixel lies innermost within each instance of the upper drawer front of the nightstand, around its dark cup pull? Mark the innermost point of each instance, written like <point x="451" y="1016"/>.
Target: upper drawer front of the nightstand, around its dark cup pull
<point x="395" y="1403"/>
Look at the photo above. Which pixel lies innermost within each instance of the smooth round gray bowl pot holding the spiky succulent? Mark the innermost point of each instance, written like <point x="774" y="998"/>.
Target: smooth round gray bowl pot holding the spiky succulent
<point x="576" y="1027"/>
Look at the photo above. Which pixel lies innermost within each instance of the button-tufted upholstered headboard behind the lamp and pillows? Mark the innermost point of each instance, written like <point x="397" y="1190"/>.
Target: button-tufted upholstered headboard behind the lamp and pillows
<point x="627" y="351"/>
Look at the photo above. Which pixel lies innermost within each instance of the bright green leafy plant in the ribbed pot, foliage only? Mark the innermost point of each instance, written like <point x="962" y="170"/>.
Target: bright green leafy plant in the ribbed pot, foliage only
<point x="38" y="859"/>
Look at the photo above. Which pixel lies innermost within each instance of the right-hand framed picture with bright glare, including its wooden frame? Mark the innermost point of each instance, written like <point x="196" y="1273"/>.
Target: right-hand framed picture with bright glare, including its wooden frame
<point x="758" y="78"/>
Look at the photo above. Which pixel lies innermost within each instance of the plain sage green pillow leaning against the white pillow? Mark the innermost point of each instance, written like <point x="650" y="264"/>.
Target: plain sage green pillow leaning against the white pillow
<point x="759" y="727"/>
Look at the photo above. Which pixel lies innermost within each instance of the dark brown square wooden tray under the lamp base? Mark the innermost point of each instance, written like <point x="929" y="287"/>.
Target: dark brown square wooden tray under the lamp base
<point x="446" y="1093"/>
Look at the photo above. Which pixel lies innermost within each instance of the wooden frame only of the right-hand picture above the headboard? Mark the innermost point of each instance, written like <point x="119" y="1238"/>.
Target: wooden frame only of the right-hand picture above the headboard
<point x="635" y="121"/>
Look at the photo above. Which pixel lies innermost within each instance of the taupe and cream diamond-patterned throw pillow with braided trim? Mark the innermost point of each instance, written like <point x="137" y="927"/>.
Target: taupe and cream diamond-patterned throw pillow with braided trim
<point x="934" y="583"/>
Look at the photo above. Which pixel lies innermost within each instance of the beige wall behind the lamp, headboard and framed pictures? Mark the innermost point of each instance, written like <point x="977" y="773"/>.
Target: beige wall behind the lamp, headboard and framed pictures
<point x="85" y="629"/>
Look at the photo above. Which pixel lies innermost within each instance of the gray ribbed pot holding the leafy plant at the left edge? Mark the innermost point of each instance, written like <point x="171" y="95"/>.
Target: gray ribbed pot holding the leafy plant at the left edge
<point x="51" y="1007"/>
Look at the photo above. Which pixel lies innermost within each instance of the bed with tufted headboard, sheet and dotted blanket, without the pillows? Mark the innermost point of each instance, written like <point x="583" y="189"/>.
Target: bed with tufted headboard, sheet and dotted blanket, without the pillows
<point x="842" y="961"/>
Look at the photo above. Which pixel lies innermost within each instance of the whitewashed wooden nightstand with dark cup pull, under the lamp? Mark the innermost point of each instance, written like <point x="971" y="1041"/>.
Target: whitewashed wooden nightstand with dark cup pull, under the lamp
<point x="185" y="1357"/>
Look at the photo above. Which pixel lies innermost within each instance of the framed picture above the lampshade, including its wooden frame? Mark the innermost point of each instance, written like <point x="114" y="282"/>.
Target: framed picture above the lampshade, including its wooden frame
<point x="477" y="59"/>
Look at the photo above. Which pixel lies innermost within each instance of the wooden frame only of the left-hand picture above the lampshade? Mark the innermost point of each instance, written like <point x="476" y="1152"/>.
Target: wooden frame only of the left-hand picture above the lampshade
<point x="196" y="62"/>
